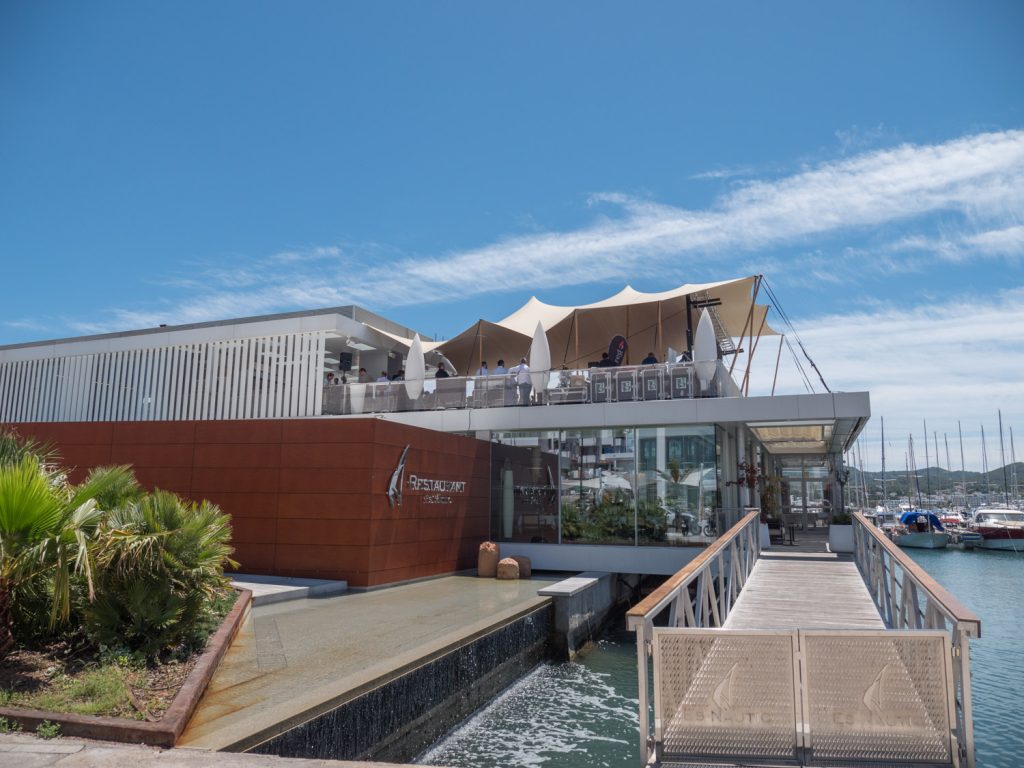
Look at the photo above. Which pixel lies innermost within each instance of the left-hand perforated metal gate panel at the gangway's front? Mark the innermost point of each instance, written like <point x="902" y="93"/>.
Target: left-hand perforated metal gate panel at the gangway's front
<point x="723" y="695"/>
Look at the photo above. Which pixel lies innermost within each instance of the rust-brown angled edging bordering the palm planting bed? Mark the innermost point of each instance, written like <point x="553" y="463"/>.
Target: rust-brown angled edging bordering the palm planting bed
<point x="164" y="733"/>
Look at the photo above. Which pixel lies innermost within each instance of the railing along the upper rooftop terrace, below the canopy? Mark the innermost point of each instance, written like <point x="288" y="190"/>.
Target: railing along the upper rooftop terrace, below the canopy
<point x="622" y="385"/>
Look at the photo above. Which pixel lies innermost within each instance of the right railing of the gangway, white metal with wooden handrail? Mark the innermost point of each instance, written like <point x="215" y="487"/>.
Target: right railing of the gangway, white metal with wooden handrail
<point x="909" y="599"/>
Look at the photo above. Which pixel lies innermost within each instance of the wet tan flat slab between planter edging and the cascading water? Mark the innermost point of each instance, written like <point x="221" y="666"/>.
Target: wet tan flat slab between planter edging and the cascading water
<point x="293" y="658"/>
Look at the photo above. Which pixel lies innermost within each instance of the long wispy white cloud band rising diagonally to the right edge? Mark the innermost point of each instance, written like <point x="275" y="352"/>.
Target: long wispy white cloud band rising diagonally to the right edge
<point x="977" y="183"/>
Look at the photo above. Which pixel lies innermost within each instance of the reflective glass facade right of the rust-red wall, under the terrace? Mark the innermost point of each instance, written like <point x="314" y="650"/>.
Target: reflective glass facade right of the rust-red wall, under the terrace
<point x="652" y="486"/>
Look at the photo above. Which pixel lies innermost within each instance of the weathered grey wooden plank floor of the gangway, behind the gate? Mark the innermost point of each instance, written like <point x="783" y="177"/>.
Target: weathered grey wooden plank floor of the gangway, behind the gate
<point x="796" y="593"/>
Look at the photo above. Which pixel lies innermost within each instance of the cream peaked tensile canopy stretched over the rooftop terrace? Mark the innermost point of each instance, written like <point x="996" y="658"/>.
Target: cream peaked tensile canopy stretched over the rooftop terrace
<point x="578" y="335"/>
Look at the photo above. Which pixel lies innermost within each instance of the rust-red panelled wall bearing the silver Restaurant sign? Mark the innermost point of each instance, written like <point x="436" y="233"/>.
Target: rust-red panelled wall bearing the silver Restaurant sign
<point x="308" y="497"/>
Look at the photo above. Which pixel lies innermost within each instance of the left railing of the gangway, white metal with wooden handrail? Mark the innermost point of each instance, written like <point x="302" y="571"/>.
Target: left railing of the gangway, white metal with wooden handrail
<point x="699" y="596"/>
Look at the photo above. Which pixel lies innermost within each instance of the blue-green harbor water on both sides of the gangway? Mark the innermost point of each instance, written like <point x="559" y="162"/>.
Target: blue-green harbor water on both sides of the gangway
<point x="584" y="714"/>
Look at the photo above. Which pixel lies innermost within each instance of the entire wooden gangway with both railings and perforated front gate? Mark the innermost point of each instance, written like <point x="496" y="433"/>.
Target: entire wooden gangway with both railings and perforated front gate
<point x="804" y="659"/>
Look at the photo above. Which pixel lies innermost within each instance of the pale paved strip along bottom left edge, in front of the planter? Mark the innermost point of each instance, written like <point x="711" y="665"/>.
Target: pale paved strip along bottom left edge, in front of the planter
<point x="22" y="751"/>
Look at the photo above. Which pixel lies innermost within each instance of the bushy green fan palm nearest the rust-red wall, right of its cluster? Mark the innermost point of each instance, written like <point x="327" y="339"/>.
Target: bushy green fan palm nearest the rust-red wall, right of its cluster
<point x="159" y="572"/>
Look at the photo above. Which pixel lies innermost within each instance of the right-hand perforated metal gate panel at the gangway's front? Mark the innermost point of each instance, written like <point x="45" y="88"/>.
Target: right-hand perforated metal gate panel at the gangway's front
<point x="879" y="697"/>
